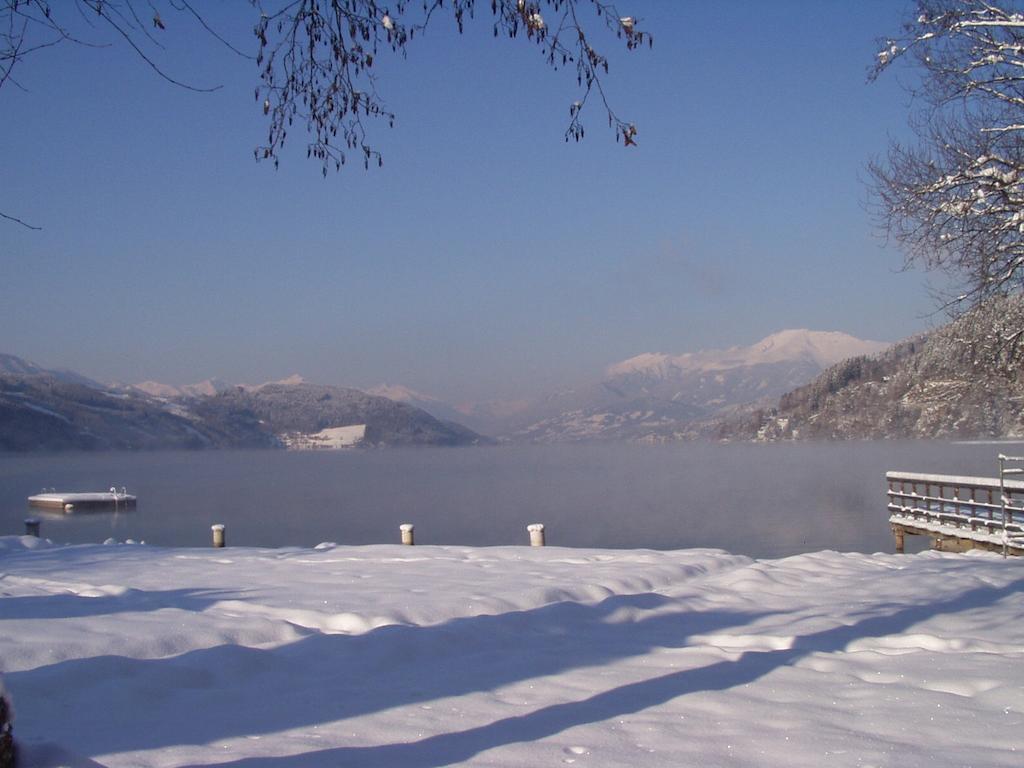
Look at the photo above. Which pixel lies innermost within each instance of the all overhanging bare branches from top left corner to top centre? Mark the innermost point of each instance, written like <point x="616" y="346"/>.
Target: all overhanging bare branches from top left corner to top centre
<point x="315" y="59"/>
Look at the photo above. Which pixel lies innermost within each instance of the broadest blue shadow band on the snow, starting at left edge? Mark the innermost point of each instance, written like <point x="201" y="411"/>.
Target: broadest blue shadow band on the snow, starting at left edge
<point x="232" y="691"/>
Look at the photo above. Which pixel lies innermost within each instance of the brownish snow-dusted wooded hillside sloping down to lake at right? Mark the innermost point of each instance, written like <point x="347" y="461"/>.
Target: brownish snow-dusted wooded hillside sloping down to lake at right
<point x="962" y="381"/>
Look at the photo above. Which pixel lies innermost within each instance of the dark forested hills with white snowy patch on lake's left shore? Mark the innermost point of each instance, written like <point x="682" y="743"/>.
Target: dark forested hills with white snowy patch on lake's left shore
<point x="47" y="410"/>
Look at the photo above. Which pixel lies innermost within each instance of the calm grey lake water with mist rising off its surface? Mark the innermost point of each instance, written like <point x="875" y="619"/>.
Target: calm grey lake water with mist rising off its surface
<point x="763" y="501"/>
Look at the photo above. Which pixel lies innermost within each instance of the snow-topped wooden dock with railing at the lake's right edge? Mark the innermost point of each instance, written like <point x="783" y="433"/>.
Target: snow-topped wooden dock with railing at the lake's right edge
<point x="959" y="514"/>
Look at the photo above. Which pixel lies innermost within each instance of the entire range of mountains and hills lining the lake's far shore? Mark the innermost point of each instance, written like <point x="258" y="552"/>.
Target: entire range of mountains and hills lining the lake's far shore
<point x="793" y="385"/>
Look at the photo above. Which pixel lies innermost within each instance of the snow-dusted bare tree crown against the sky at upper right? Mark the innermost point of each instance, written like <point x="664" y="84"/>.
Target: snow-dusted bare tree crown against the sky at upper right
<point x="956" y="201"/>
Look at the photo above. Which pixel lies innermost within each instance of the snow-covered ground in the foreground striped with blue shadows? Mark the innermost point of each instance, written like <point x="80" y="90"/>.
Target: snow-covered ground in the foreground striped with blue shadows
<point x="406" y="658"/>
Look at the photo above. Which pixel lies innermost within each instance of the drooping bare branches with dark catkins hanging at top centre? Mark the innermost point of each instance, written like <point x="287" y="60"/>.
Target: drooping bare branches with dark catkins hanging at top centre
<point x="317" y="62"/>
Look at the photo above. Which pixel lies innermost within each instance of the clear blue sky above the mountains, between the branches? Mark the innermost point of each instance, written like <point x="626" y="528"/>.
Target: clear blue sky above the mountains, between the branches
<point x="488" y="259"/>
